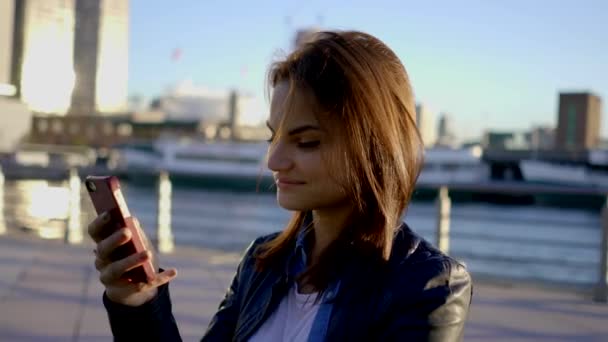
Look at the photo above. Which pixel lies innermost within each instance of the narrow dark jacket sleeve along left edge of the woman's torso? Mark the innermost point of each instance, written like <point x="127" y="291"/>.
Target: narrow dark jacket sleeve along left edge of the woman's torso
<point x="223" y="324"/>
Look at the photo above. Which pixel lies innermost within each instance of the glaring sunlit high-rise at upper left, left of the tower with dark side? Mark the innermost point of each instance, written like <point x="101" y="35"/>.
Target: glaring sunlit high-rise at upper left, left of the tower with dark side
<point x="43" y="53"/>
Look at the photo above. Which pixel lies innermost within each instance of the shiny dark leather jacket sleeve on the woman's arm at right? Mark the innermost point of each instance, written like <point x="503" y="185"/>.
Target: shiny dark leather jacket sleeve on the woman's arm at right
<point x="438" y="311"/>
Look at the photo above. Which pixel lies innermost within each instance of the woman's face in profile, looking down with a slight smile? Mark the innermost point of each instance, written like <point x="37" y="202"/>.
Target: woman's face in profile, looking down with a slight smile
<point x="304" y="180"/>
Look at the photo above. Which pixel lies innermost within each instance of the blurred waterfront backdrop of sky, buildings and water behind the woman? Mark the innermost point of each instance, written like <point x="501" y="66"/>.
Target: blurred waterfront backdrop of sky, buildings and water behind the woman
<point x="171" y="97"/>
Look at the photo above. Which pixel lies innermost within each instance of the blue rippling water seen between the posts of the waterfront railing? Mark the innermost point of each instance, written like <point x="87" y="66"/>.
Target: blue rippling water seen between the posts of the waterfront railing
<point x="525" y="242"/>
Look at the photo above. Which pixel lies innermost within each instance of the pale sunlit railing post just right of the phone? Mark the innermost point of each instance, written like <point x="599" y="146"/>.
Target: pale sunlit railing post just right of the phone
<point x="164" y="236"/>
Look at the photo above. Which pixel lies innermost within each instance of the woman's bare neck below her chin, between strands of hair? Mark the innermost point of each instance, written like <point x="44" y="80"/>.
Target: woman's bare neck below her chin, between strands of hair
<point x="327" y="224"/>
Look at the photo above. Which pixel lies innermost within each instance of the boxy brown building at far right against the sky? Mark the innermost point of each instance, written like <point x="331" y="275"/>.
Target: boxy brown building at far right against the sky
<point x="579" y="119"/>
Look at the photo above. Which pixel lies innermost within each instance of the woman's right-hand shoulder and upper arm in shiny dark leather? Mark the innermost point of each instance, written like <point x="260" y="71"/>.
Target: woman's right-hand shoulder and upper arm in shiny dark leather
<point x="428" y="293"/>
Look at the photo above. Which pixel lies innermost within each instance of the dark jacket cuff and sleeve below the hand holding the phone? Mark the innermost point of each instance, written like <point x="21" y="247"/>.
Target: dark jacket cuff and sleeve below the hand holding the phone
<point x="152" y="321"/>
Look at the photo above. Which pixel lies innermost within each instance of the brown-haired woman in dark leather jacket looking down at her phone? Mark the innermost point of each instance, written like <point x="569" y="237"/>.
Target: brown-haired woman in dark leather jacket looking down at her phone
<point x="345" y="154"/>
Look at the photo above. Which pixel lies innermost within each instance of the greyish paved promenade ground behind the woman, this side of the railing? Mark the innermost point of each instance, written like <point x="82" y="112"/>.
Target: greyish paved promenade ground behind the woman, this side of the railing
<point x="49" y="291"/>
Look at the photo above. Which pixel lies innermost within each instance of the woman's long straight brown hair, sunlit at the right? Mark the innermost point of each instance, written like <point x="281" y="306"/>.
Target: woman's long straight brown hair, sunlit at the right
<point x="362" y="89"/>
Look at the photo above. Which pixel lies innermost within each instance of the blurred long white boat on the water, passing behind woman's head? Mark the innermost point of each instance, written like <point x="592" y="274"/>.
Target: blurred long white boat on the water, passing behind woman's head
<point x="248" y="160"/>
